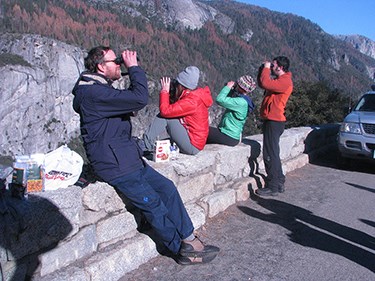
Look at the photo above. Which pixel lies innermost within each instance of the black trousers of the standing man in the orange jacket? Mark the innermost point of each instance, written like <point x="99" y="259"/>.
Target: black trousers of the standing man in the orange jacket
<point x="272" y="131"/>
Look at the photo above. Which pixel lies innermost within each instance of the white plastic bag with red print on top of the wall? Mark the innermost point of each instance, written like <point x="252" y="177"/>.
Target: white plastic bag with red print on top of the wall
<point x="62" y="168"/>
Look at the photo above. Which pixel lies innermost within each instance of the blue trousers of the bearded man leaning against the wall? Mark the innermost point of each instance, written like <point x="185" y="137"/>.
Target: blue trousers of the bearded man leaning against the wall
<point x="158" y="199"/>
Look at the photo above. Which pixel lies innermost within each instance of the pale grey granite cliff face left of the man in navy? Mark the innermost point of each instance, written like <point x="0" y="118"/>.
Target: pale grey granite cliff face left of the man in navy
<point x="36" y="102"/>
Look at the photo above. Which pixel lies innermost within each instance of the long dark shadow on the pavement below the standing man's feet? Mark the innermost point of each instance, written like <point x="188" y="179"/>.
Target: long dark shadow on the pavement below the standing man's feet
<point x="316" y="232"/>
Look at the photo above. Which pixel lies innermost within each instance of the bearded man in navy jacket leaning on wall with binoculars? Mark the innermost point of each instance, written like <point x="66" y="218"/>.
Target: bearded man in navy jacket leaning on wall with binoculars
<point x="105" y="116"/>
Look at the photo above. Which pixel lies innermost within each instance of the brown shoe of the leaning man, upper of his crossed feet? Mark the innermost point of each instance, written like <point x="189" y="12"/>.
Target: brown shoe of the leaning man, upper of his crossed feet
<point x="196" y="248"/>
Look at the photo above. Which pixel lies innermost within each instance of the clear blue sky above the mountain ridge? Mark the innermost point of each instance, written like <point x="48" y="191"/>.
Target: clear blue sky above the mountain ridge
<point x="344" y="17"/>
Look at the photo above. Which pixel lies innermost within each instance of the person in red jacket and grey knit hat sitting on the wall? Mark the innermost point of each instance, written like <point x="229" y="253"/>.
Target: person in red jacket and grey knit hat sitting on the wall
<point x="183" y="116"/>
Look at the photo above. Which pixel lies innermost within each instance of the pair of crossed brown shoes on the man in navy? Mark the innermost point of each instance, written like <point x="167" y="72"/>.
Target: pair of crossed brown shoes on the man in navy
<point x="193" y="252"/>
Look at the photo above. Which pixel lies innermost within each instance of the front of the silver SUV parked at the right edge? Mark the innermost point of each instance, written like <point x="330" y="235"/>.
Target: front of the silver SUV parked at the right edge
<point x="356" y="138"/>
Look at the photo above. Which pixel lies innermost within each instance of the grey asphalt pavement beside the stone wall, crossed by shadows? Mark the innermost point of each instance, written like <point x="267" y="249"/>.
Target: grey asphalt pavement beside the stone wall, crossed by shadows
<point x="321" y="228"/>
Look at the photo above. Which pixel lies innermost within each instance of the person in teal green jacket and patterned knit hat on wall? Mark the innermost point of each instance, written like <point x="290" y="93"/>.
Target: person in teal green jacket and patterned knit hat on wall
<point x="234" y="98"/>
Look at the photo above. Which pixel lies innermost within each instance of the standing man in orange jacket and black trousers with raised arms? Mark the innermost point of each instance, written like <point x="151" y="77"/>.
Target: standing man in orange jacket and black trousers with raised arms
<point x="272" y="111"/>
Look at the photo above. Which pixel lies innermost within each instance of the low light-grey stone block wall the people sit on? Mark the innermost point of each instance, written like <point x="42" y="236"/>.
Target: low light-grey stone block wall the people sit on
<point x="91" y="234"/>
